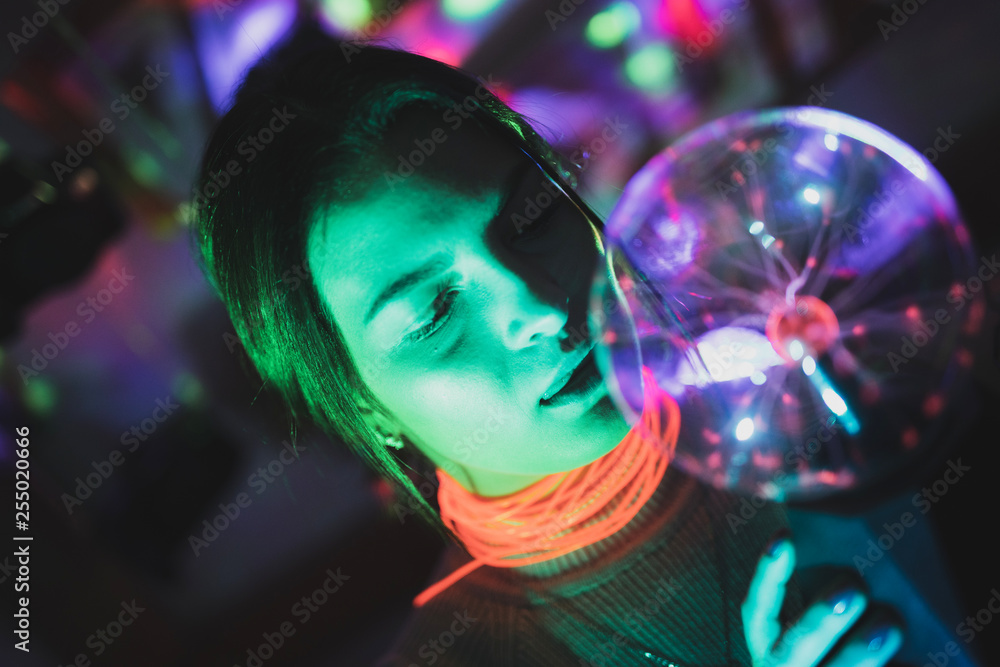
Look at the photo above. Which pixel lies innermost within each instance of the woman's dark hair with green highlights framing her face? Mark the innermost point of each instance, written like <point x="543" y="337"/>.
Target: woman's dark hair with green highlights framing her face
<point x="251" y="216"/>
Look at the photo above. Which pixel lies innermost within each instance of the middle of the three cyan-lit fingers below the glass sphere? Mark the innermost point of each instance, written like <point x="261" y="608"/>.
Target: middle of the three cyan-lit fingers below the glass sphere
<point x="808" y="640"/>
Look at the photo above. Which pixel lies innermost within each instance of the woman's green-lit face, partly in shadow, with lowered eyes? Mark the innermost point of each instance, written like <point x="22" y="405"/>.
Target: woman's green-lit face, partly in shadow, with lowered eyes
<point x="462" y="312"/>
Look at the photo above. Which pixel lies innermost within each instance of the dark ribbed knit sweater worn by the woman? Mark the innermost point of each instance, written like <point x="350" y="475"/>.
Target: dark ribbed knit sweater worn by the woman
<point x="669" y="583"/>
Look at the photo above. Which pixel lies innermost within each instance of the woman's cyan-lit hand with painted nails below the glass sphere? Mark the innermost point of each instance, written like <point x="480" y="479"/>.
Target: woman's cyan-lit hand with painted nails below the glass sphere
<point x="828" y="630"/>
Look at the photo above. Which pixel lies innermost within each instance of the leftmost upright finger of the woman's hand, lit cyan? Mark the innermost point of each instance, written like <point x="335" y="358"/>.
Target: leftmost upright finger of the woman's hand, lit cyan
<point x="762" y="605"/>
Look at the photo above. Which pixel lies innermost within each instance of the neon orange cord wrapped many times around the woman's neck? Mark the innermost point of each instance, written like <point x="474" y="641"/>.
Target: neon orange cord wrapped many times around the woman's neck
<point x="548" y="519"/>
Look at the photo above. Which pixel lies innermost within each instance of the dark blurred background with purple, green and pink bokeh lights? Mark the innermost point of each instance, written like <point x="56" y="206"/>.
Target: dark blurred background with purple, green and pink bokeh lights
<point x="165" y="338"/>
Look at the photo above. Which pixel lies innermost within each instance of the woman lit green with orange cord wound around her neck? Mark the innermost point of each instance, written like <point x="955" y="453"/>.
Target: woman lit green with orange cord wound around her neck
<point x="443" y="331"/>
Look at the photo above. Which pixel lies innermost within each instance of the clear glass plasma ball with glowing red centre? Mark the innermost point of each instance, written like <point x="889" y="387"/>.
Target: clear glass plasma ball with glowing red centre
<point x="801" y="283"/>
